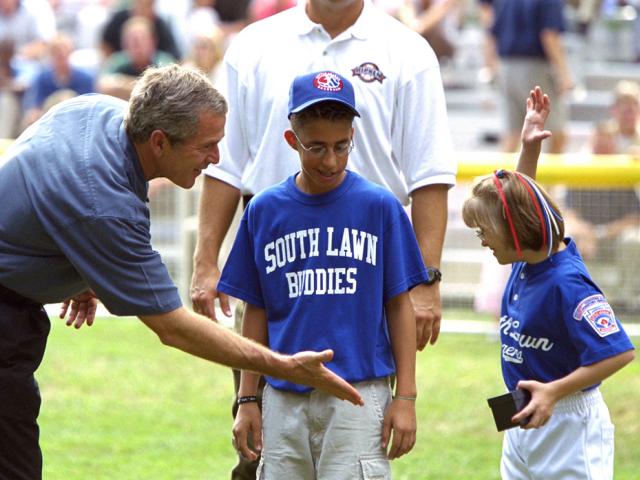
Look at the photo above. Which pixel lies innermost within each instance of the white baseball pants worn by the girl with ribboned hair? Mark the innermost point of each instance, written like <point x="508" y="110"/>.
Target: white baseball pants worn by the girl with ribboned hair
<point x="576" y="443"/>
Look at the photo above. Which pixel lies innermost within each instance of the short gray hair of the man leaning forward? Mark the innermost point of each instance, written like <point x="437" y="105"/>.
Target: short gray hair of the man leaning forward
<point x="170" y="99"/>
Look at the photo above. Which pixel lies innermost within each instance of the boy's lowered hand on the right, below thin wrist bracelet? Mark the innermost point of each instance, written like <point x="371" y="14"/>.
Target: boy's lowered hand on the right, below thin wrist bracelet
<point x="400" y="418"/>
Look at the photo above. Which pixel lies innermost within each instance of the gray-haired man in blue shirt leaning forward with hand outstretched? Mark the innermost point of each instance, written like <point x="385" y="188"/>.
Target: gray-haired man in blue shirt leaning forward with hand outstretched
<point x="74" y="227"/>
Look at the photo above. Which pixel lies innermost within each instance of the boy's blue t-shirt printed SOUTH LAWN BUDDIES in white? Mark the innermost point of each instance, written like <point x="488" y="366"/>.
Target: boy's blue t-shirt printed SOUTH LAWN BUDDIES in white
<point x="323" y="267"/>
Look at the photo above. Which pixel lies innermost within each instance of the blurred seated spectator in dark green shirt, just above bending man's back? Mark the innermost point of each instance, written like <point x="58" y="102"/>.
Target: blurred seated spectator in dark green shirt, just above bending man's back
<point x="121" y="69"/>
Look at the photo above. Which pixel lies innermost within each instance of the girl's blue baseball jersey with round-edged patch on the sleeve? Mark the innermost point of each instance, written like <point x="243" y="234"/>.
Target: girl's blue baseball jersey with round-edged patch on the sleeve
<point x="555" y="319"/>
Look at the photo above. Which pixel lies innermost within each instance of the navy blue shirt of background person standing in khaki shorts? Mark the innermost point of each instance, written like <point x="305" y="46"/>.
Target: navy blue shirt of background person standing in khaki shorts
<point x="518" y="25"/>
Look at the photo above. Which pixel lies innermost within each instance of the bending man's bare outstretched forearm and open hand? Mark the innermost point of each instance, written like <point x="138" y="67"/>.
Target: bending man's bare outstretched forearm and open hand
<point x="196" y="335"/>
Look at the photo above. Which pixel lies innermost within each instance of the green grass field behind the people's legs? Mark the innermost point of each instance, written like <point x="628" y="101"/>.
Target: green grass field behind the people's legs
<point x="119" y="405"/>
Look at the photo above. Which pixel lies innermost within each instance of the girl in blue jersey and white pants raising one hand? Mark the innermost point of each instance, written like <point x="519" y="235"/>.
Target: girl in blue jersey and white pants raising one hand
<point x="559" y="336"/>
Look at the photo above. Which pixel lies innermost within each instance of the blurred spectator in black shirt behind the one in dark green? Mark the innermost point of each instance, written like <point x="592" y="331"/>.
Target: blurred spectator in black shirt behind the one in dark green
<point x="112" y="36"/>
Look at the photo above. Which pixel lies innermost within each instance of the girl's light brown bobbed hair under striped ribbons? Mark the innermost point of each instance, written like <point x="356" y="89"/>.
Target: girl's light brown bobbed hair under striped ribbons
<point x="485" y="209"/>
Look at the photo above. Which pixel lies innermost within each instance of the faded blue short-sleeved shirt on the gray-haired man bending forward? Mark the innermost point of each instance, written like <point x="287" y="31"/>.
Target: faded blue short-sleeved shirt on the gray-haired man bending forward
<point x="74" y="213"/>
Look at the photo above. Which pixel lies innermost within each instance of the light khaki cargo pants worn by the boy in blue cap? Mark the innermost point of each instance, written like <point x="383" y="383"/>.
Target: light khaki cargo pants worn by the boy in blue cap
<point x="316" y="436"/>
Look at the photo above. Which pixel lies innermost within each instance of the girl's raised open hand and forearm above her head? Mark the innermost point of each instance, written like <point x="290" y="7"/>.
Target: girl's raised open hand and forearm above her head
<point x="533" y="132"/>
